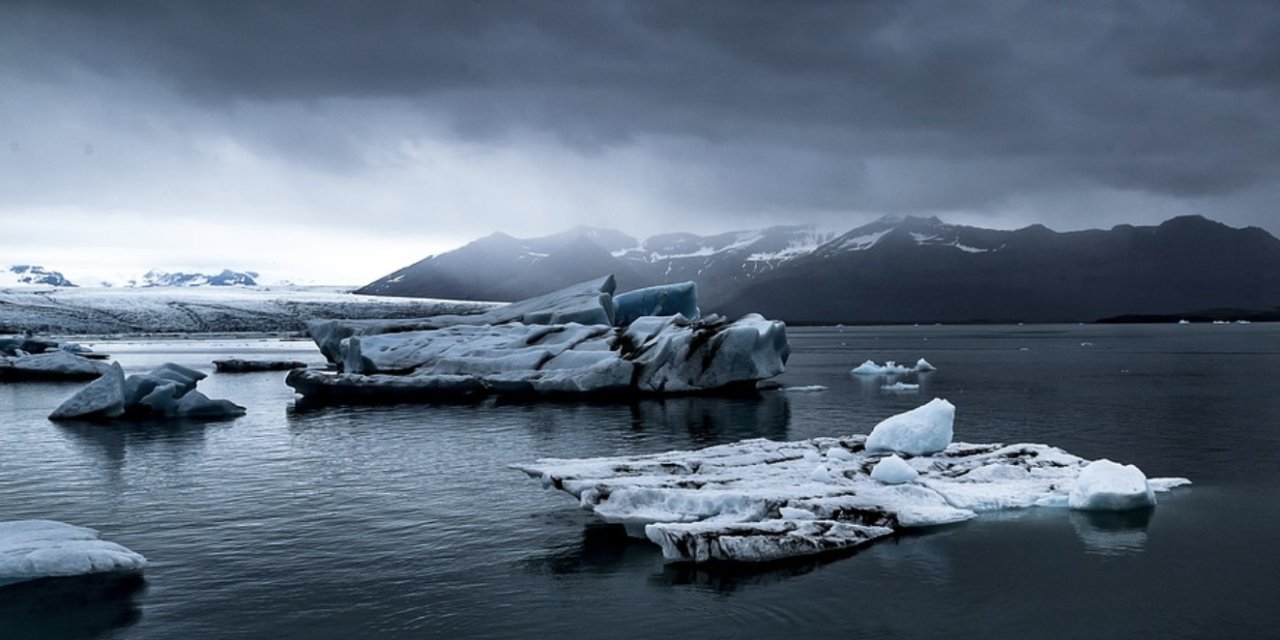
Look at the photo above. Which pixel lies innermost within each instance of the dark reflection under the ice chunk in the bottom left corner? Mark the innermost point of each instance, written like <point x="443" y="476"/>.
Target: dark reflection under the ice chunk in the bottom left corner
<point x="70" y="607"/>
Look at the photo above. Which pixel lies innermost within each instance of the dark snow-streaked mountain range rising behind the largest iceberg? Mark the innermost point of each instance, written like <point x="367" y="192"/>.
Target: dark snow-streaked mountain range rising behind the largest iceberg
<point x="898" y="269"/>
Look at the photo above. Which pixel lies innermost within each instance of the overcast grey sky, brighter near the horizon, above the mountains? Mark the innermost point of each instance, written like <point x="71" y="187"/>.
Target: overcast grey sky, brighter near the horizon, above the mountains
<point x="339" y="141"/>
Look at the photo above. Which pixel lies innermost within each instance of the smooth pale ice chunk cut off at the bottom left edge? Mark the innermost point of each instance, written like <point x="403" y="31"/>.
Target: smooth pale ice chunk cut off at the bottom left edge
<point x="31" y="550"/>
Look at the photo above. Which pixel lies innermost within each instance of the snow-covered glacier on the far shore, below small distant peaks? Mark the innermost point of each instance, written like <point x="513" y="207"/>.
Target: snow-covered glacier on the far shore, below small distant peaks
<point x="51" y="310"/>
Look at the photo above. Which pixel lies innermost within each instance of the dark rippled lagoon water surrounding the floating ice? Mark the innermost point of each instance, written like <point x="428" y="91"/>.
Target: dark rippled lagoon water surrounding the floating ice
<point x="406" y="523"/>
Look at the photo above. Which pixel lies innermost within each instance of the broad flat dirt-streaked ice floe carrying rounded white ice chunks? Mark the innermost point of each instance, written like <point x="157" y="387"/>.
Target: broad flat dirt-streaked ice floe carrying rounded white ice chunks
<point x="760" y="500"/>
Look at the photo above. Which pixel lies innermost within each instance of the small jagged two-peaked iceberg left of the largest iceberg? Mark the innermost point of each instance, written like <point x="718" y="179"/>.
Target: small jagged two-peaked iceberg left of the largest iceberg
<point x="167" y="392"/>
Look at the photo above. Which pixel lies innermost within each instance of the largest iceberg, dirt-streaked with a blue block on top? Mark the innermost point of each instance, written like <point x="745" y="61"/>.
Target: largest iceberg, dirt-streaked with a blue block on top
<point x="561" y="344"/>
